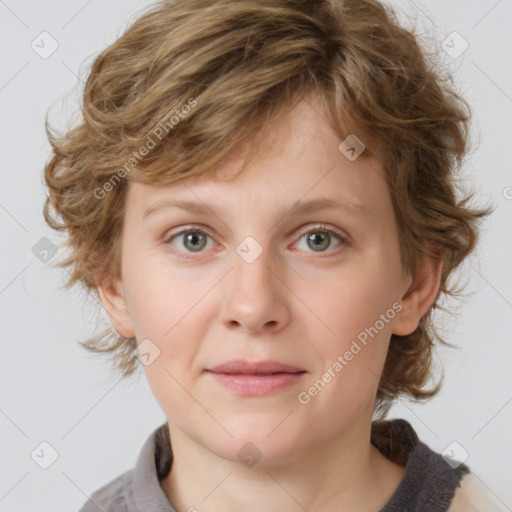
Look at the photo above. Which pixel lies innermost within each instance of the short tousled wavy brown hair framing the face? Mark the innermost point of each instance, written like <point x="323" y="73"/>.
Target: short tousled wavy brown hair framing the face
<point x="190" y="81"/>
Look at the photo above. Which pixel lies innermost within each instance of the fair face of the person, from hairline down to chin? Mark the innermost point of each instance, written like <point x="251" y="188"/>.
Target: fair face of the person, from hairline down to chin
<point x="248" y="273"/>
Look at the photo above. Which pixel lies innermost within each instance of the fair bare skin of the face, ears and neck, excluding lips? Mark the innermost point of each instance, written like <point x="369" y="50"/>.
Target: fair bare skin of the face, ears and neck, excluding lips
<point x="295" y="303"/>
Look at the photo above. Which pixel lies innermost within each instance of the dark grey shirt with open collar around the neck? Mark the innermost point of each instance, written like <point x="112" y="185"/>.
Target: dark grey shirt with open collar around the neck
<point x="428" y="485"/>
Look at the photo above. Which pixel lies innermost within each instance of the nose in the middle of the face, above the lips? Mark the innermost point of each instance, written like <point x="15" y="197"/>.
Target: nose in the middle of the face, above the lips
<point x="255" y="295"/>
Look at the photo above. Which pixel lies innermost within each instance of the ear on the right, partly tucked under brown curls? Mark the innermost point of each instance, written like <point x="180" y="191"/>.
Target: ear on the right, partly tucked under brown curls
<point x="420" y="294"/>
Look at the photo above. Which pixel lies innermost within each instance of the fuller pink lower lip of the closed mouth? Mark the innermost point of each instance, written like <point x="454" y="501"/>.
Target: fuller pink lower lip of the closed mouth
<point x="257" y="385"/>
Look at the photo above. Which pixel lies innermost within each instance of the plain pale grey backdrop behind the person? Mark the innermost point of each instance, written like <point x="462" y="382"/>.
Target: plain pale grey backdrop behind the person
<point x="52" y="391"/>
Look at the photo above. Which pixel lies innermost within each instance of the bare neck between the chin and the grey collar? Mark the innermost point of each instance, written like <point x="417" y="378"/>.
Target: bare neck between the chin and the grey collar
<point x="349" y="474"/>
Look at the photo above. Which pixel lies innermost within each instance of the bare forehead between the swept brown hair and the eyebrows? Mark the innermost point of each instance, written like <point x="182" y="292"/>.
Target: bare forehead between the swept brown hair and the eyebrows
<point x="297" y="160"/>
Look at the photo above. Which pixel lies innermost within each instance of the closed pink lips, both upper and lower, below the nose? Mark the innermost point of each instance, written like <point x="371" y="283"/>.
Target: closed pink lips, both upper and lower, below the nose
<point x="256" y="378"/>
